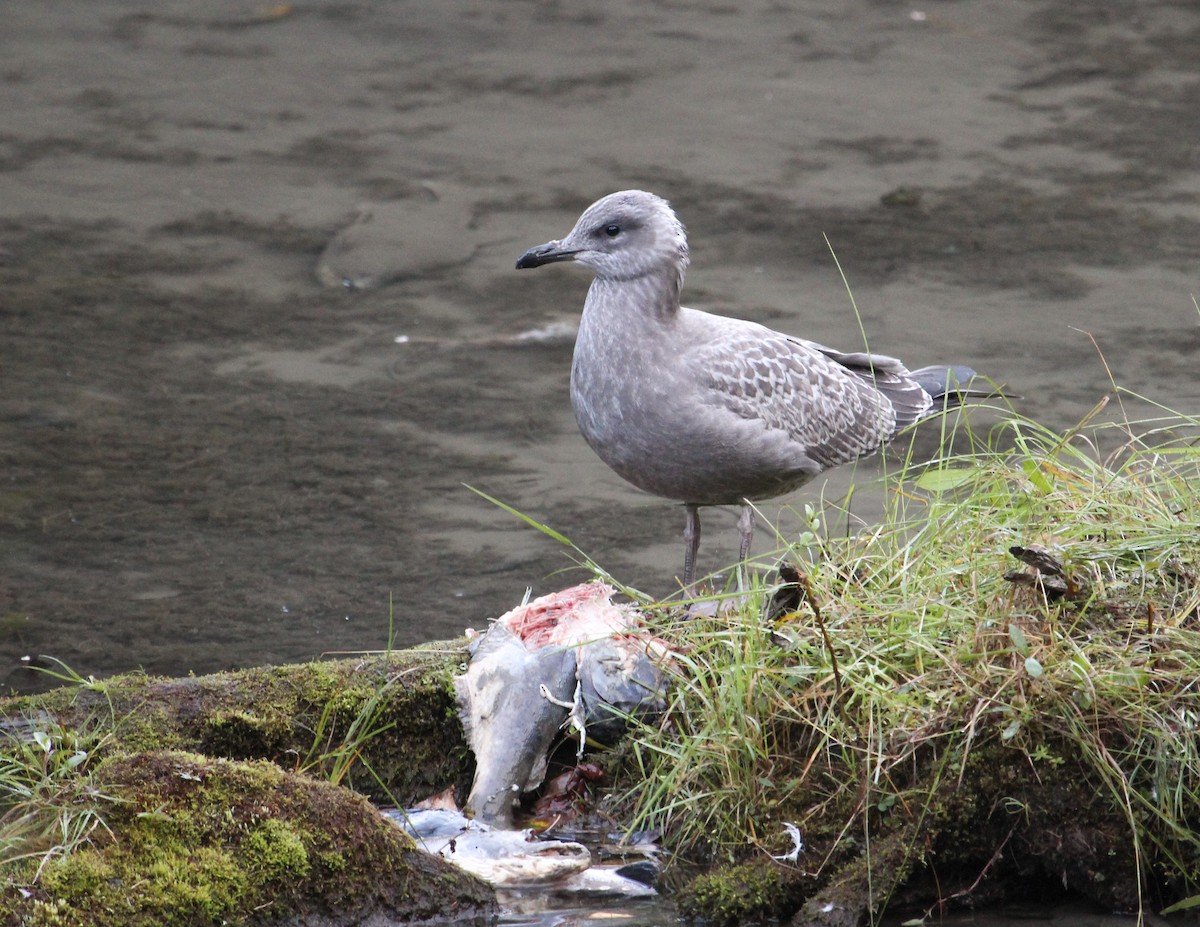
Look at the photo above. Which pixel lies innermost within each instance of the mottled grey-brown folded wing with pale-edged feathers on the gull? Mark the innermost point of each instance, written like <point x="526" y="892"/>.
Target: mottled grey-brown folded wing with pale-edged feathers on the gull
<point x="825" y="406"/>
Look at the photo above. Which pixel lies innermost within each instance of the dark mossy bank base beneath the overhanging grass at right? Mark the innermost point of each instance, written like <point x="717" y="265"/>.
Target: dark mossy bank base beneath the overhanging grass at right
<point x="967" y="846"/>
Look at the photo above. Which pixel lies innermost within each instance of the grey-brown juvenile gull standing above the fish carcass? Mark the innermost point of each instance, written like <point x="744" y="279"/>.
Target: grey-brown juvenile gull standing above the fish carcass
<point x="709" y="410"/>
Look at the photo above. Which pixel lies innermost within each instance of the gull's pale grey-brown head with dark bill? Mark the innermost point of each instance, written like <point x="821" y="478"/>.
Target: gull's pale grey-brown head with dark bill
<point x="623" y="237"/>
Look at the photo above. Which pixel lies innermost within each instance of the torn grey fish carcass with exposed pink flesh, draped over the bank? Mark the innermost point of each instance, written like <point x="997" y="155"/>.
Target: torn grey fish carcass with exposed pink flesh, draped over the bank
<point x="572" y="657"/>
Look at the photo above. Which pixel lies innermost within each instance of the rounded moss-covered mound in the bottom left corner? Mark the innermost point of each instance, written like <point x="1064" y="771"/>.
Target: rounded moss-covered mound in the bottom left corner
<point x="189" y="840"/>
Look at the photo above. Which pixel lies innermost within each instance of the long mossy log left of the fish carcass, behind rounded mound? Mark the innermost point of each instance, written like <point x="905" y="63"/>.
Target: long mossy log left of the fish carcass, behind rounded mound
<point x="293" y="715"/>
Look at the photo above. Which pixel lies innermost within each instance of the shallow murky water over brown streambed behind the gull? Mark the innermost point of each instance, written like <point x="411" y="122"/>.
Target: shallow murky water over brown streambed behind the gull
<point x="211" y="458"/>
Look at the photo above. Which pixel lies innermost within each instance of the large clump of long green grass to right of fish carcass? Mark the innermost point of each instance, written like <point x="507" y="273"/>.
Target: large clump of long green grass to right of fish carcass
<point x="914" y="654"/>
